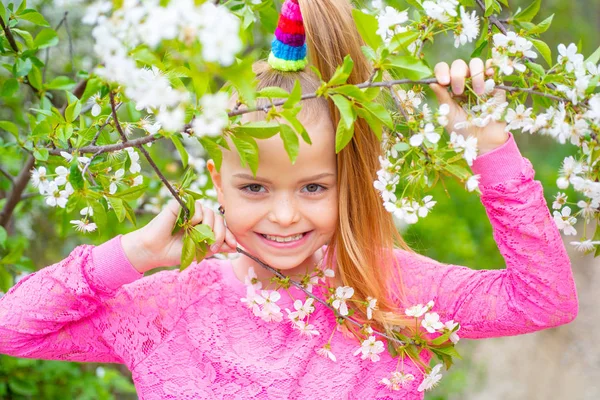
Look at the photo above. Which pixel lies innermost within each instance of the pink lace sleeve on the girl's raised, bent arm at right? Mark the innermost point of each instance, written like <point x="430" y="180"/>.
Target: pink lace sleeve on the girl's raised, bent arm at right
<point x="534" y="292"/>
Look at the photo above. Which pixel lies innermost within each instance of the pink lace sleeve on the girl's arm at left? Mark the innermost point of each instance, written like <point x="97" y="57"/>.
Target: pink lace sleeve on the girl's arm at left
<point x="93" y="306"/>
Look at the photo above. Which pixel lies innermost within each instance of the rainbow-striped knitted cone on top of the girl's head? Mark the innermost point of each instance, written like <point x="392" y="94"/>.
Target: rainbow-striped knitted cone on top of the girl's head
<point x="288" y="49"/>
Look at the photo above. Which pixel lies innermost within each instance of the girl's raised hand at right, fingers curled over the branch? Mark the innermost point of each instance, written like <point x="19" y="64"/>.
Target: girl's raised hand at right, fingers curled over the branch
<point x="489" y="137"/>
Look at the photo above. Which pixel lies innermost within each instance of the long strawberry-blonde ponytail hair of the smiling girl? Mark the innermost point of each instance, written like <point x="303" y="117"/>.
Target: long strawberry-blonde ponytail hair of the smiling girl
<point x="363" y="243"/>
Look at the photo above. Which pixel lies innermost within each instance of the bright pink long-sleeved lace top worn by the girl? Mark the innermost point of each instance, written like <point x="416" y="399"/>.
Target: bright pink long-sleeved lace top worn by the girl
<point x="186" y="335"/>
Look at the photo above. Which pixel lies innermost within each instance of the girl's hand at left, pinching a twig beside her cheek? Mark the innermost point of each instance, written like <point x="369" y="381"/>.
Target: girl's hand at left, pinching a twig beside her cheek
<point x="153" y="246"/>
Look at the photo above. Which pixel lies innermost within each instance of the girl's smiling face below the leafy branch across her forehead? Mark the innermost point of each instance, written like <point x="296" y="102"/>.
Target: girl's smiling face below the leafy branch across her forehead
<point x="293" y="202"/>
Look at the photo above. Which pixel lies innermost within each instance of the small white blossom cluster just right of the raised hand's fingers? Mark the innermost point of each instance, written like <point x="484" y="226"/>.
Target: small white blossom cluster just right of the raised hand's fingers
<point x="509" y="52"/>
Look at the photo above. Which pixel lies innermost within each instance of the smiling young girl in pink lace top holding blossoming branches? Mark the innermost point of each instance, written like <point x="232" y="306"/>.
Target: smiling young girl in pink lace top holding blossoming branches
<point x="187" y="335"/>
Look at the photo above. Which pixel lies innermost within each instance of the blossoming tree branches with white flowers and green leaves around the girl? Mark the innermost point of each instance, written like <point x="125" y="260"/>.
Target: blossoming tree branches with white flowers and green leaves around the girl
<point x="83" y="140"/>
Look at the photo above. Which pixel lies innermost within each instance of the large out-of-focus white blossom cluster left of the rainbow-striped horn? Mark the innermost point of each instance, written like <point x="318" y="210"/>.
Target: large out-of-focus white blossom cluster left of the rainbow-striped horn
<point x="136" y="23"/>
